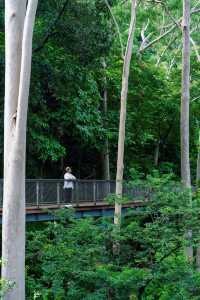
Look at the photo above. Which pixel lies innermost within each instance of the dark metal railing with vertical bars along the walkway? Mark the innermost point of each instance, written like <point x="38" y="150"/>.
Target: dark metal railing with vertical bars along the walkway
<point x="46" y="192"/>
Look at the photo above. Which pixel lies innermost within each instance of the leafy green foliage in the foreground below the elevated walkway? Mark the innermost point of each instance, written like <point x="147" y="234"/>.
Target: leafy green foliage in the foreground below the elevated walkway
<point x="73" y="258"/>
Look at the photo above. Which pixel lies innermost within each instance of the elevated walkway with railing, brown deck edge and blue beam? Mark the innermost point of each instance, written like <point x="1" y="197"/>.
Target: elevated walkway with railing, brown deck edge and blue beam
<point x="89" y="198"/>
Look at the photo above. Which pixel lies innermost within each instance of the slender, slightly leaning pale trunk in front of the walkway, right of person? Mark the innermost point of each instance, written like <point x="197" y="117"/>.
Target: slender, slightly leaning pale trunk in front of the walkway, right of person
<point x="124" y="92"/>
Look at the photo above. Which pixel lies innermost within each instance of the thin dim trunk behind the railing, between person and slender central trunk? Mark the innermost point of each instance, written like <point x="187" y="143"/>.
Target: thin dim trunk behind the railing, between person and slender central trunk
<point x="106" y="155"/>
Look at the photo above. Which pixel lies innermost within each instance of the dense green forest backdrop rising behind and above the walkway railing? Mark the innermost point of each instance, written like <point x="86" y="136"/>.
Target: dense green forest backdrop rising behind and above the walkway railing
<point x="67" y="123"/>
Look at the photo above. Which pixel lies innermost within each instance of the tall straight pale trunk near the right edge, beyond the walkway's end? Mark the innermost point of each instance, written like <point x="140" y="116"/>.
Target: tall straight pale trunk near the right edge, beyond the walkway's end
<point x="185" y="106"/>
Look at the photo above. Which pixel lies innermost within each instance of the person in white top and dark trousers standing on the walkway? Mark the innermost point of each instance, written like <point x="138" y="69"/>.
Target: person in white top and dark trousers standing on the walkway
<point x="68" y="185"/>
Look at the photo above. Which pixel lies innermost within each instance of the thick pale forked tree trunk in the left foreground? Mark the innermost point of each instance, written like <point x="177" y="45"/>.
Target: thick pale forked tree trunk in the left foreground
<point x="19" y="20"/>
